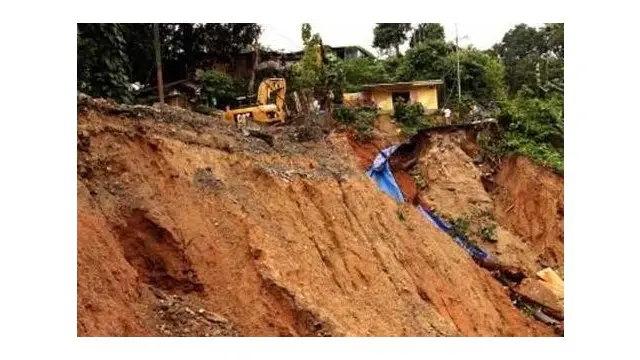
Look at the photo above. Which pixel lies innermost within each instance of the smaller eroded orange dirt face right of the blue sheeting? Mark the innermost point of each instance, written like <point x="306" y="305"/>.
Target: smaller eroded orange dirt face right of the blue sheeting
<point x="516" y="214"/>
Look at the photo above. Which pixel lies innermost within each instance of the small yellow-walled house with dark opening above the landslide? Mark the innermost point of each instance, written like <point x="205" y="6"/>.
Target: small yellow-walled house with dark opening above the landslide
<point x="384" y="95"/>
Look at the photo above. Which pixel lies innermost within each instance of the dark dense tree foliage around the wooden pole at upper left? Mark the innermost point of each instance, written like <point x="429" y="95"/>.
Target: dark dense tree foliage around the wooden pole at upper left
<point x="111" y="56"/>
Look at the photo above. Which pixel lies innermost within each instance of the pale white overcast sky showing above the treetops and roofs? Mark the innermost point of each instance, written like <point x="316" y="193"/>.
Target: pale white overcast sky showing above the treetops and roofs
<point x="287" y="36"/>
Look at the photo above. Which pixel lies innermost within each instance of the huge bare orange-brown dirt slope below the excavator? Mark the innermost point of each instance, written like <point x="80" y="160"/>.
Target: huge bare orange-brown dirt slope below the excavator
<point x="287" y="241"/>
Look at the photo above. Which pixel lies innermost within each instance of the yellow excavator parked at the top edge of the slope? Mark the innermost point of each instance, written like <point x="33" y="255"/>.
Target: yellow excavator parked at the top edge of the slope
<point x="269" y="108"/>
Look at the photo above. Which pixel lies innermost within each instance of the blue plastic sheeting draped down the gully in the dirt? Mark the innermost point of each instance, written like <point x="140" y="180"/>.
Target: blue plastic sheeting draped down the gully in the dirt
<point x="380" y="172"/>
